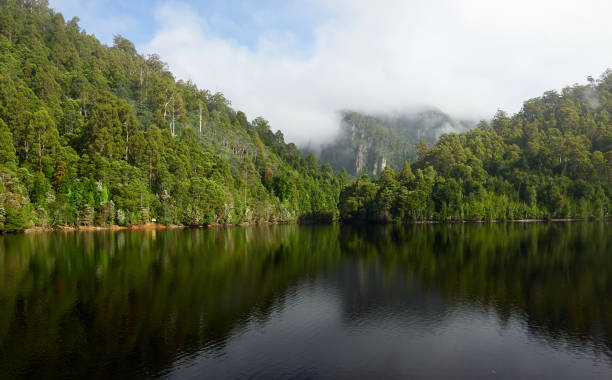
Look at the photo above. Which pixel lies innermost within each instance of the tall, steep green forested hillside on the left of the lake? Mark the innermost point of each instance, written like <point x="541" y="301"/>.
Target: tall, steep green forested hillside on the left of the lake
<point x="98" y="135"/>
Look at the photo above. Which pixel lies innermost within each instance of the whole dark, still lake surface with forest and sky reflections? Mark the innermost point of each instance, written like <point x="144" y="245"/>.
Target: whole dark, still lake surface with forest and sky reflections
<point x="456" y="301"/>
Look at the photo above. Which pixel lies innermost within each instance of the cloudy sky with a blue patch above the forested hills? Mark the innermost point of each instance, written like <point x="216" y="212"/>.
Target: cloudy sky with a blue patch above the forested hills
<point x="297" y="63"/>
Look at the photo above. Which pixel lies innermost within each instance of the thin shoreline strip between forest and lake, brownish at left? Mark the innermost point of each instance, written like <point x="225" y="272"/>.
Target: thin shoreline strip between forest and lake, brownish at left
<point x="156" y="227"/>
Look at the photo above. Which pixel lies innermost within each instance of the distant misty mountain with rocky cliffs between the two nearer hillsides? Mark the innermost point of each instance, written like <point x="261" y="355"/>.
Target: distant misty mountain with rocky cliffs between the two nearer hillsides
<point x="366" y="144"/>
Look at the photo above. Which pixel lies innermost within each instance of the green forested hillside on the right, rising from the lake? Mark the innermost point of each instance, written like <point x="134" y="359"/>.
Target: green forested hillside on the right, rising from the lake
<point x="553" y="159"/>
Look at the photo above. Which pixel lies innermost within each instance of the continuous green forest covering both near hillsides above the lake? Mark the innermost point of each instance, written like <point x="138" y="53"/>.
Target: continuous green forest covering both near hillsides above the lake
<point x="92" y="135"/>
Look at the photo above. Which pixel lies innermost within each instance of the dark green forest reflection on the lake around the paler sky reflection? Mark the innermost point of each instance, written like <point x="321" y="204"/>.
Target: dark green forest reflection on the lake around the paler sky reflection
<point x="133" y="303"/>
